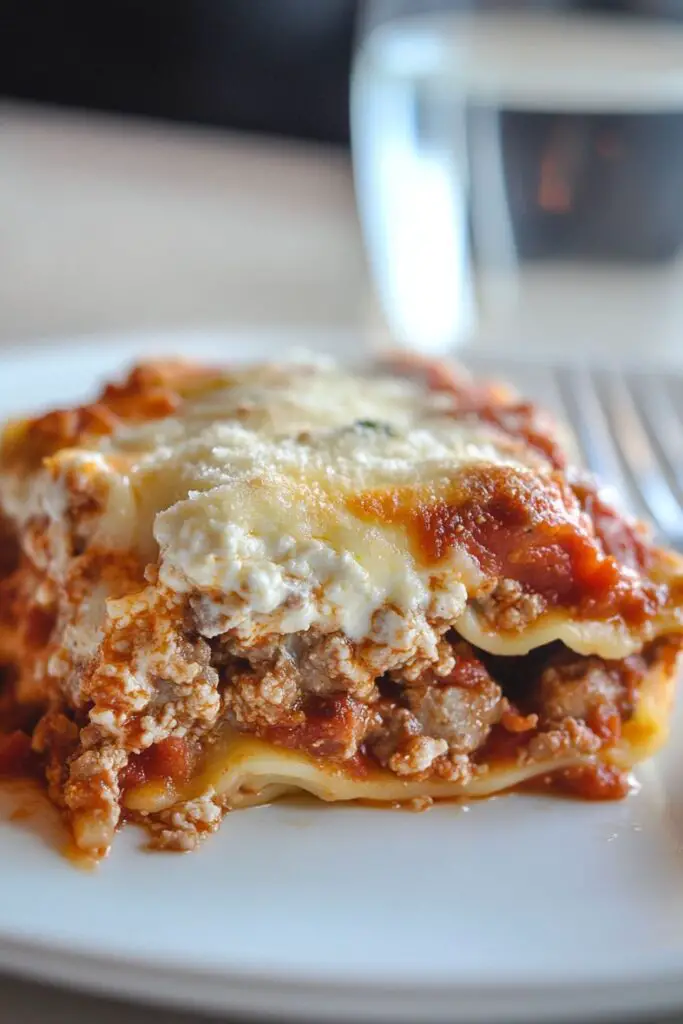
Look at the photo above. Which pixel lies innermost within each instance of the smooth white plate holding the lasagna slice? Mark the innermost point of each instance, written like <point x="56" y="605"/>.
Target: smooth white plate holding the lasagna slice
<point x="518" y="909"/>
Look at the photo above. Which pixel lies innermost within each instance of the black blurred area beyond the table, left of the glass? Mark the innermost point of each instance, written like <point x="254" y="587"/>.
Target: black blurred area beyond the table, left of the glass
<point x="253" y="65"/>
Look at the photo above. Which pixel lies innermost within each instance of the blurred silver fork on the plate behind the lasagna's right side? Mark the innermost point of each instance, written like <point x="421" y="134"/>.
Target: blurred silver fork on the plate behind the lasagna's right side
<point x="628" y="424"/>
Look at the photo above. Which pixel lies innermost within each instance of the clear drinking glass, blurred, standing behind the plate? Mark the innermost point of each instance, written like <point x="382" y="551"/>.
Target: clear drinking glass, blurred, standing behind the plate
<point x="520" y="174"/>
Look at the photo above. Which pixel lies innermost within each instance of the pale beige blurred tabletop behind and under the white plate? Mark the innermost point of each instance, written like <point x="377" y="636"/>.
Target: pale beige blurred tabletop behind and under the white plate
<point x="113" y="226"/>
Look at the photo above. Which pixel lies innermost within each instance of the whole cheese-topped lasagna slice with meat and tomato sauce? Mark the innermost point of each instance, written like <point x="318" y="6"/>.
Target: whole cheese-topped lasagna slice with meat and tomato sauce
<point x="222" y="586"/>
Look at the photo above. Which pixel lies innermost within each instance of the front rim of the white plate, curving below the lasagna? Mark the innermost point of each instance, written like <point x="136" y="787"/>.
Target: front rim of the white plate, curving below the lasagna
<point x="238" y="993"/>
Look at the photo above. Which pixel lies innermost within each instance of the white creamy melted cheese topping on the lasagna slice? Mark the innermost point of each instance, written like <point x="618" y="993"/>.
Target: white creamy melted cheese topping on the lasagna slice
<point x="248" y="497"/>
